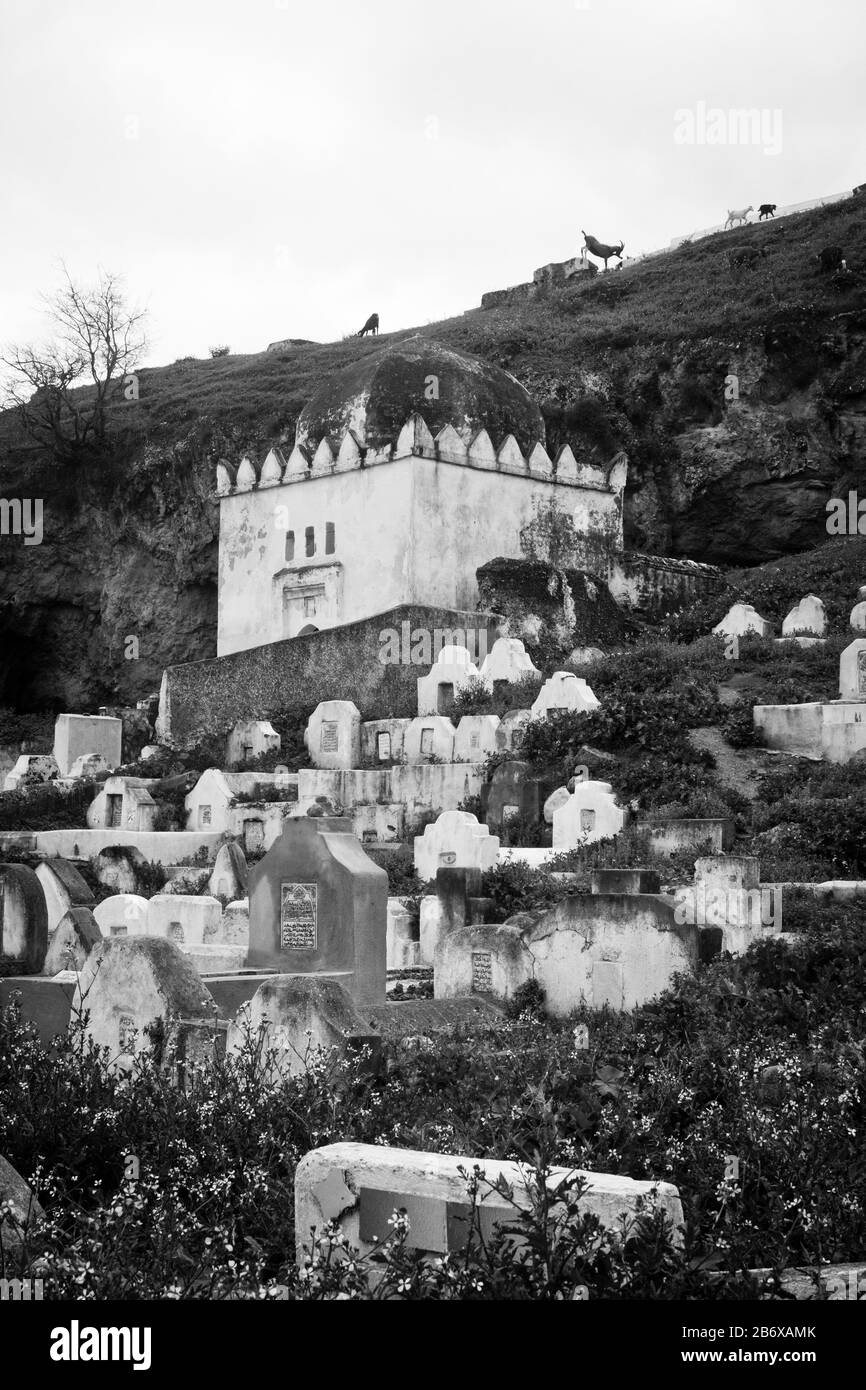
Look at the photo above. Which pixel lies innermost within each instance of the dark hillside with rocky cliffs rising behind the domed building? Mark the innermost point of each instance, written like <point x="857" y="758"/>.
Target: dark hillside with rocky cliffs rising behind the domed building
<point x="636" y="359"/>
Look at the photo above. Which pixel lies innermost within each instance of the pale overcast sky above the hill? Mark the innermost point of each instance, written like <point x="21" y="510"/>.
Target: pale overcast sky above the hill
<point x="272" y="169"/>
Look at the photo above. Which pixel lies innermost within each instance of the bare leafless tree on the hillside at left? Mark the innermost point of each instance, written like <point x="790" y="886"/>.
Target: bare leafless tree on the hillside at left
<point x="63" y="390"/>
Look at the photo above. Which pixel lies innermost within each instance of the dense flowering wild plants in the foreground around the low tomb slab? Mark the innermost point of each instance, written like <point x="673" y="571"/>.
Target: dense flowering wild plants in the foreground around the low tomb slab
<point x="758" y="1057"/>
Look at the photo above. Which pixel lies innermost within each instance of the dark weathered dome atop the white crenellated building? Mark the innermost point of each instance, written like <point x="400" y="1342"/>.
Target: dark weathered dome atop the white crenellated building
<point x="376" y="397"/>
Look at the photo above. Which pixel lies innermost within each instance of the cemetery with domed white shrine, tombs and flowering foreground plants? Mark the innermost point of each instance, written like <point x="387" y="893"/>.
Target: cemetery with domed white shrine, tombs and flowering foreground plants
<point x="372" y="960"/>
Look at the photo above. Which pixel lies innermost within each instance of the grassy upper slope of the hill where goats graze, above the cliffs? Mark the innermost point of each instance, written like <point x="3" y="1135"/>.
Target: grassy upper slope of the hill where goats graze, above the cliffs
<point x="689" y="294"/>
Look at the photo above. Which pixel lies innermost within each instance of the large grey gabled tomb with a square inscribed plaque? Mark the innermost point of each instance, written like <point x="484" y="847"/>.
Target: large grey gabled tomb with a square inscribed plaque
<point x="319" y="906"/>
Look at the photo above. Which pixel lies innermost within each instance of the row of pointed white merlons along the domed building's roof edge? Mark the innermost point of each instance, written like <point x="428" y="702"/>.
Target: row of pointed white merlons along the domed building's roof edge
<point x="415" y="440"/>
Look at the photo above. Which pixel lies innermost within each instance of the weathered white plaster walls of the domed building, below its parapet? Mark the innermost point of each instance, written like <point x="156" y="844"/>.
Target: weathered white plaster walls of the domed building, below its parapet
<point x="412" y="530"/>
